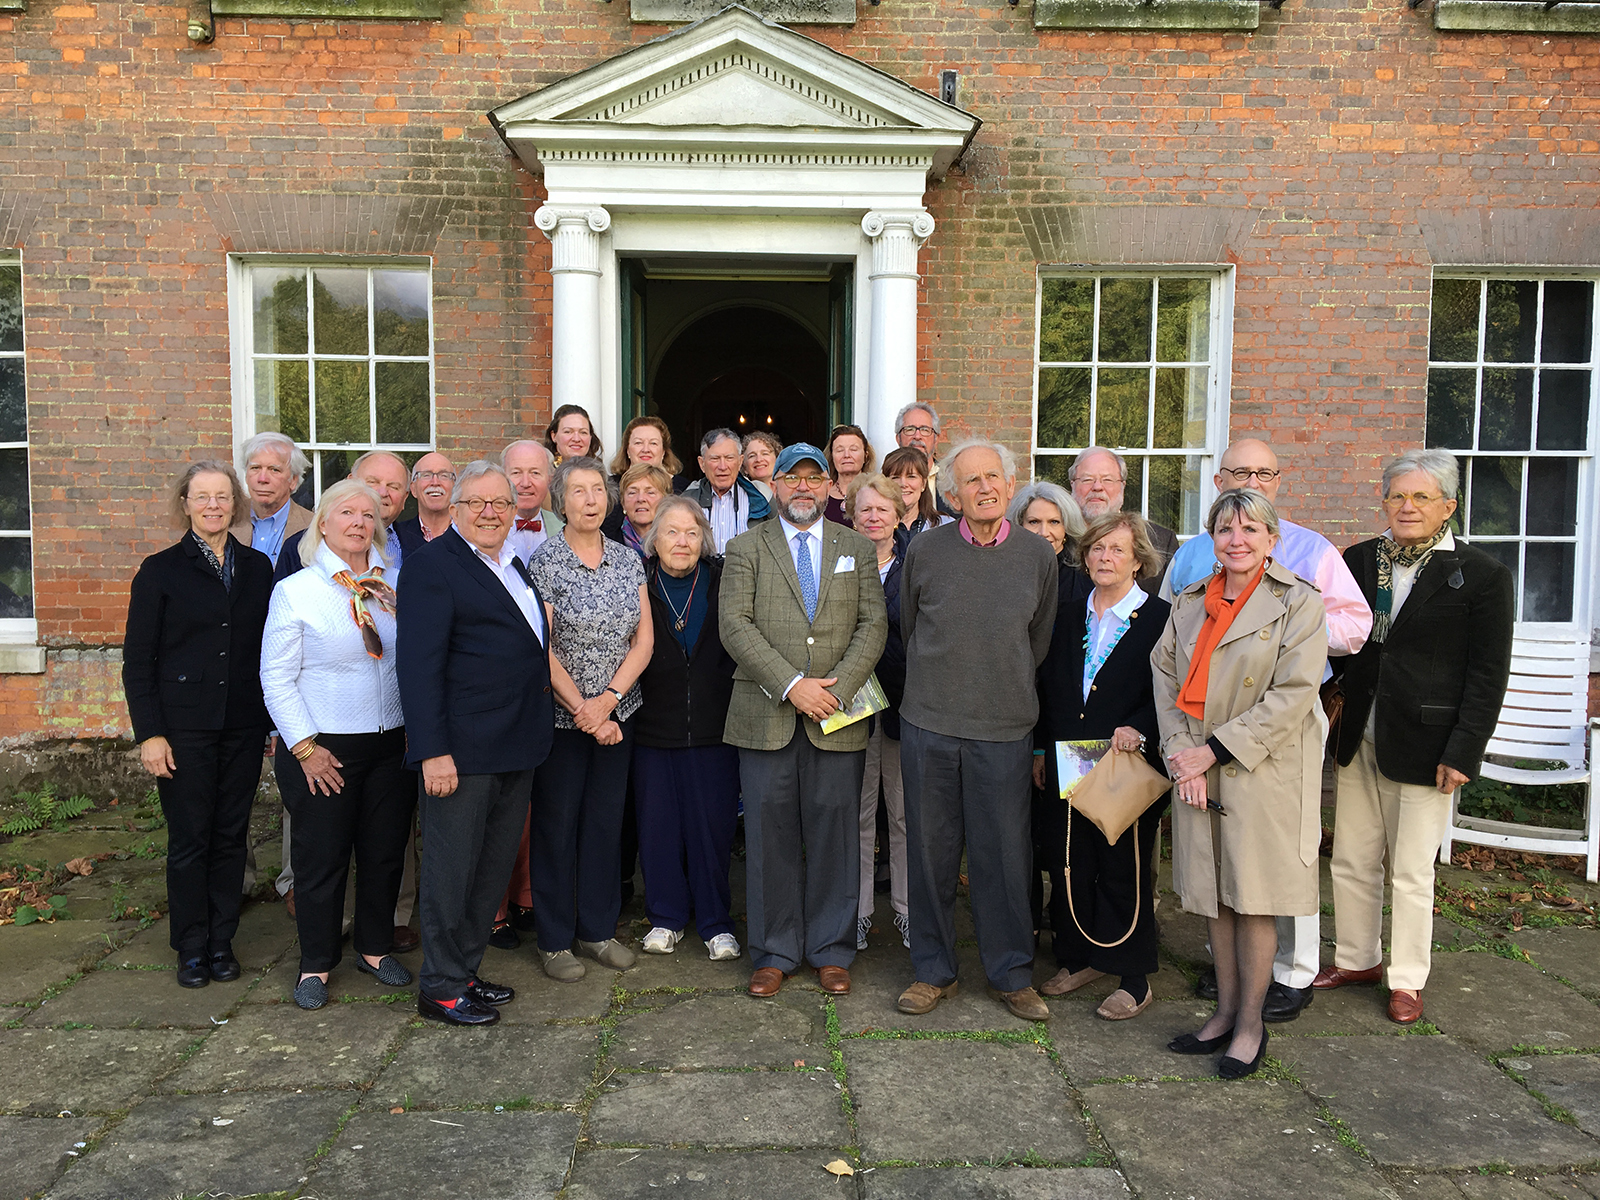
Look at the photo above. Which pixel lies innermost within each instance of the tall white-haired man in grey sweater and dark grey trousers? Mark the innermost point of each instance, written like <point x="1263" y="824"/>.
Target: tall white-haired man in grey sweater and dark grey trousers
<point x="978" y="602"/>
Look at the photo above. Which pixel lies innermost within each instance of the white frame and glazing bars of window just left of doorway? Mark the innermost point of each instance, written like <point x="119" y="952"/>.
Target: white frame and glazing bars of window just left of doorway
<point x="244" y="356"/>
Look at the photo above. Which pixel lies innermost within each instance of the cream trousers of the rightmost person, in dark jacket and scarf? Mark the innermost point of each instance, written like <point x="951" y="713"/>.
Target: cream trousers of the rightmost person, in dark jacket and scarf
<point x="1377" y="818"/>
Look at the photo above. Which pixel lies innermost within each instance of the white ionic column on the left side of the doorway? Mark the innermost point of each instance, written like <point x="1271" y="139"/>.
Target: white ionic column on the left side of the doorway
<point x="575" y="303"/>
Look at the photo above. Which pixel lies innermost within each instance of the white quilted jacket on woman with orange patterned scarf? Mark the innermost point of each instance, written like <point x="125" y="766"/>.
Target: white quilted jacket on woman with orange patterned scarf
<point x="316" y="673"/>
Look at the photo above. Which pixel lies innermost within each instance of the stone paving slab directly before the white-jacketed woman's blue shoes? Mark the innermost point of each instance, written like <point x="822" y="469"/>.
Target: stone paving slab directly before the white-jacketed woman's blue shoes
<point x="263" y="1049"/>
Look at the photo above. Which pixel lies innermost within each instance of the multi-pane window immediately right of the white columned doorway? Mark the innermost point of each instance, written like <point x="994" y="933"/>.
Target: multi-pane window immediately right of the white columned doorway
<point x="1130" y="362"/>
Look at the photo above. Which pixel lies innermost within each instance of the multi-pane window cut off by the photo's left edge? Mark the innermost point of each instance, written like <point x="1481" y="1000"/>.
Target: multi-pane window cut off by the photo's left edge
<point x="17" y="542"/>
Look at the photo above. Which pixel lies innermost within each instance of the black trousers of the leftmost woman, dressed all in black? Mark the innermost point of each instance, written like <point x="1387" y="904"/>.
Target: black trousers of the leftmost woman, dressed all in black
<point x="207" y="809"/>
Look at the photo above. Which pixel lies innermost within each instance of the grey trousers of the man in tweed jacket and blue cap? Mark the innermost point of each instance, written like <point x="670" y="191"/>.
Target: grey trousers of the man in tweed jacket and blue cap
<point x="802" y="807"/>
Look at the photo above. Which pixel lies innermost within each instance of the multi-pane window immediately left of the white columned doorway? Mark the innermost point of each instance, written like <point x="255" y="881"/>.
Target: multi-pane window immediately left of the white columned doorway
<point x="342" y="359"/>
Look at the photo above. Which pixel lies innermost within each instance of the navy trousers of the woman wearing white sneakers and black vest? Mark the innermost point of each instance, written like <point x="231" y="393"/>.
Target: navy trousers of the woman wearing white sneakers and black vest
<point x="689" y="804"/>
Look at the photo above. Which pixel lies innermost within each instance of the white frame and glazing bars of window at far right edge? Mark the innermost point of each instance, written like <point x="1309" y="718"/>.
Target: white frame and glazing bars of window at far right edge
<point x="1588" y="519"/>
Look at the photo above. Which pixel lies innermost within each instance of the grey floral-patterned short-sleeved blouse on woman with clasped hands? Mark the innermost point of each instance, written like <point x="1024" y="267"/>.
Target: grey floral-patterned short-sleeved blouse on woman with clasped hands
<point x="596" y="617"/>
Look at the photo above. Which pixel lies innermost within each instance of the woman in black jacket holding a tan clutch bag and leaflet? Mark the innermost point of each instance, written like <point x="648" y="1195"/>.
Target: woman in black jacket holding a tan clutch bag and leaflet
<point x="1097" y="684"/>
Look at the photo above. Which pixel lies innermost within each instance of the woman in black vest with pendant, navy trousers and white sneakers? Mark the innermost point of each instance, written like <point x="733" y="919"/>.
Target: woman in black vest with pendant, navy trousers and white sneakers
<point x="686" y="777"/>
